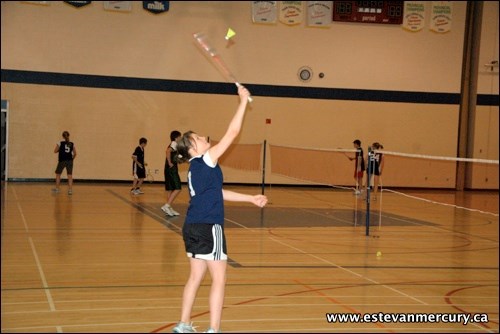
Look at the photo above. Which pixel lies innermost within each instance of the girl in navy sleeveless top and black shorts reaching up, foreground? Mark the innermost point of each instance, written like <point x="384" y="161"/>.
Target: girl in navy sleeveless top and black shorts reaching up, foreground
<point x="203" y="230"/>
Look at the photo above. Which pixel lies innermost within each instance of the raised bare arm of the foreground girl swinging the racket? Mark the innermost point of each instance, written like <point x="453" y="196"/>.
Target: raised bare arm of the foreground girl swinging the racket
<point x="234" y="127"/>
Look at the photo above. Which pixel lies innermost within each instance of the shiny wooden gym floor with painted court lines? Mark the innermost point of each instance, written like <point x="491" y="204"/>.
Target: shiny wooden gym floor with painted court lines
<point x="103" y="260"/>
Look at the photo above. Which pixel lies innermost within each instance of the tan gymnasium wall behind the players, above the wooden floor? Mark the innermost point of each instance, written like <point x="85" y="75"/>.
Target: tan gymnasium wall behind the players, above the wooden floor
<point x="412" y="80"/>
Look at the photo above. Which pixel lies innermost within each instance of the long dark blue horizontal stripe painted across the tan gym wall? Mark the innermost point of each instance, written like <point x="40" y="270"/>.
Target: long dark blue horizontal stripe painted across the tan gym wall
<point x="183" y="86"/>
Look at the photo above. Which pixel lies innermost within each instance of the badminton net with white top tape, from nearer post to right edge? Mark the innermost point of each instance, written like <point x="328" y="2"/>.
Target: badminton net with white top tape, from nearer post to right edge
<point x="405" y="173"/>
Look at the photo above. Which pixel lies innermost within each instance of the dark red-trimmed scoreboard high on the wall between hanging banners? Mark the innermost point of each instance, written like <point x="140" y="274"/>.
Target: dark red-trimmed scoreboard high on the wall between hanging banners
<point x="386" y="12"/>
